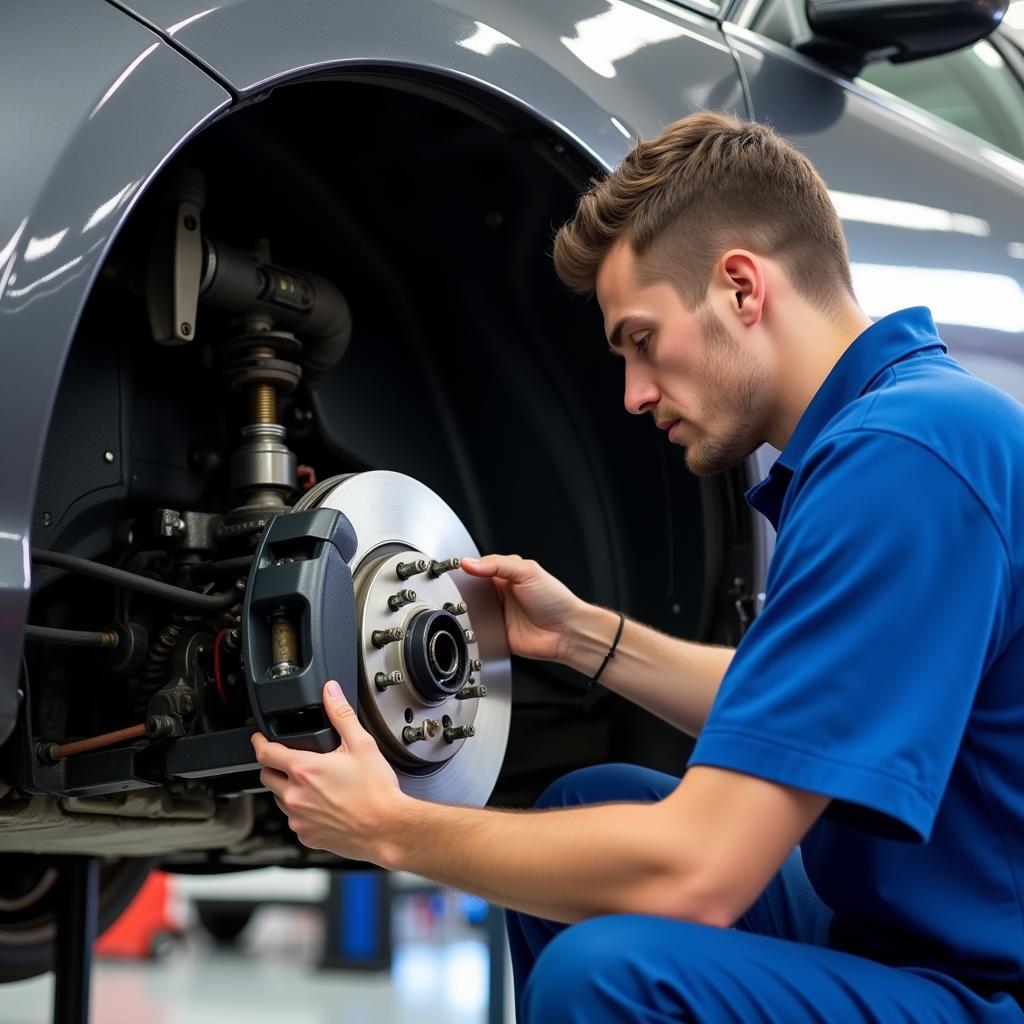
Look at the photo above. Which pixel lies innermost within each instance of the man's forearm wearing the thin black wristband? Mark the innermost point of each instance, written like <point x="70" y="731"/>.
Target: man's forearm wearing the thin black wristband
<point x="672" y="678"/>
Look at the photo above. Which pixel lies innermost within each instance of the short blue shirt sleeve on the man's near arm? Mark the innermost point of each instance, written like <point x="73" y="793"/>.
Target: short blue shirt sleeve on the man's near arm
<point x="887" y="596"/>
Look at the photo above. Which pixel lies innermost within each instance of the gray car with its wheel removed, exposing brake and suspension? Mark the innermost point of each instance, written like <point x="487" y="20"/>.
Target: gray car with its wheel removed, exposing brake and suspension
<point x="281" y="339"/>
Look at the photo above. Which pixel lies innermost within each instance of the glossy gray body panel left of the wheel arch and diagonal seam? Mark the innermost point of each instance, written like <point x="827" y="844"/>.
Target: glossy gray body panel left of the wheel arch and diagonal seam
<point x="102" y="121"/>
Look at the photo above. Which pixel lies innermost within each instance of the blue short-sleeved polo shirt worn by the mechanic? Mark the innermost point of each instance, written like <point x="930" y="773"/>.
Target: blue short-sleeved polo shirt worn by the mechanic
<point x="886" y="670"/>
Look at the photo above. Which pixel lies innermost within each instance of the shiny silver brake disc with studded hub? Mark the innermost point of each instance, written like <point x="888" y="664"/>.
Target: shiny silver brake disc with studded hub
<point x="435" y="674"/>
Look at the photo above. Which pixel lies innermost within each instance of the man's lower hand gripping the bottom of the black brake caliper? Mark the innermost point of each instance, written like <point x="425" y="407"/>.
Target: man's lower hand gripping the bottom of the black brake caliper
<point x="343" y="801"/>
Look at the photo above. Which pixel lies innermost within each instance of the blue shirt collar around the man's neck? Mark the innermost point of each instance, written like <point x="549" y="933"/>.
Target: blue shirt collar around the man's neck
<point x="887" y="342"/>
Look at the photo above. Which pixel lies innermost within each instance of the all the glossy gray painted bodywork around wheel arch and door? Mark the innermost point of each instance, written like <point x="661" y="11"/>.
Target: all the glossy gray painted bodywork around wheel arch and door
<point x="595" y="72"/>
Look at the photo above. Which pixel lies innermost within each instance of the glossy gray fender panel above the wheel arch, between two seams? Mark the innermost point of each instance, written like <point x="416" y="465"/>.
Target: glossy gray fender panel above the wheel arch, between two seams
<point x="576" y="66"/>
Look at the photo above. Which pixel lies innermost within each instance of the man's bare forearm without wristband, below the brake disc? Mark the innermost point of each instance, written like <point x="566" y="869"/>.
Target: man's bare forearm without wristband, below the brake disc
<point x="564" y="866"/>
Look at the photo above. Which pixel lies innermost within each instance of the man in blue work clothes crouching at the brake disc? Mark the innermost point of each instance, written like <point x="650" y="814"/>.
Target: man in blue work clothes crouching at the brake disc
<point x="874" y="713"/>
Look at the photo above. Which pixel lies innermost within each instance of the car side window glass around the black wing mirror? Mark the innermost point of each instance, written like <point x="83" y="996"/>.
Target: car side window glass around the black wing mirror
<point x="973" y="89"/>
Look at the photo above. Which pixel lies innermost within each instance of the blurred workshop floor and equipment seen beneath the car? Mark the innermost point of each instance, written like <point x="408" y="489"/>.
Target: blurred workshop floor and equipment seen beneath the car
<point x="300" y="947"/>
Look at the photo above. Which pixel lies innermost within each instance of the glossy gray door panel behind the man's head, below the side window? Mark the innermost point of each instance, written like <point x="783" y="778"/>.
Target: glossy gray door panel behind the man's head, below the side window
<point x="943" y="228"/>
